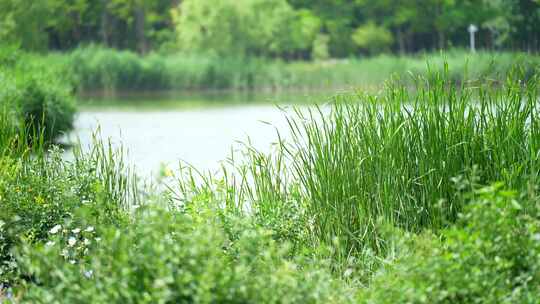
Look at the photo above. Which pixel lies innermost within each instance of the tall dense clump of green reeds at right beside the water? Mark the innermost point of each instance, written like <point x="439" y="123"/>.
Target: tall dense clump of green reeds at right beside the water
<point x="398" y="156"/>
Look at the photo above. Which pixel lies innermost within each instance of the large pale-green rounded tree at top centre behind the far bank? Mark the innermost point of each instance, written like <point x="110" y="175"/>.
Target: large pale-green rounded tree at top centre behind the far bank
<point x="247" y="27"/>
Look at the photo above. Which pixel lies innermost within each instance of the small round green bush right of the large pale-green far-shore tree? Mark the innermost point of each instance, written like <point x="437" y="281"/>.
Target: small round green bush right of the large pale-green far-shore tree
<point x="372" y="38"/>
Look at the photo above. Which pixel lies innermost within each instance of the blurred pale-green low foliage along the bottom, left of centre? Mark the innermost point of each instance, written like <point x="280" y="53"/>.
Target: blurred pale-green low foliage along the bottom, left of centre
<point x="167" y="257"/>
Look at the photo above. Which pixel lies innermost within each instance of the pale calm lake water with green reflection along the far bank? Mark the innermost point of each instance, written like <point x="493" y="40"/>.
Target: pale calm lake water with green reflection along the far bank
<point x="162" y="130"/>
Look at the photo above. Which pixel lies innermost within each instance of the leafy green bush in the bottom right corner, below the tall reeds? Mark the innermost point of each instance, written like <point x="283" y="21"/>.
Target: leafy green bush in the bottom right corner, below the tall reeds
<point x="491" y="256"/>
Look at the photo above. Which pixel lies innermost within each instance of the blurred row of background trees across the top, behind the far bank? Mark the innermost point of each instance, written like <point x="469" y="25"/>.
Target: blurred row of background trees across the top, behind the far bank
<point x="289" y="29"/>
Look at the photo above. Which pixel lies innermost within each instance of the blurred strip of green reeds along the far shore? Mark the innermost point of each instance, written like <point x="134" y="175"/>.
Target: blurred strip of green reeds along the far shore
<point x="99" y="69"/>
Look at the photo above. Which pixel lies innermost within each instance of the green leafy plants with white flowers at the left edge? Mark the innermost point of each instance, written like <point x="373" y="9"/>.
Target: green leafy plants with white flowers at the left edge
<point x="38" y="192"/>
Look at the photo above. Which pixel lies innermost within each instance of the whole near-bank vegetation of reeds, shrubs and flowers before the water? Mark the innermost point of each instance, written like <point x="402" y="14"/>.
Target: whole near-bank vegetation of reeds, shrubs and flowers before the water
<point x="372" y="199"/>
